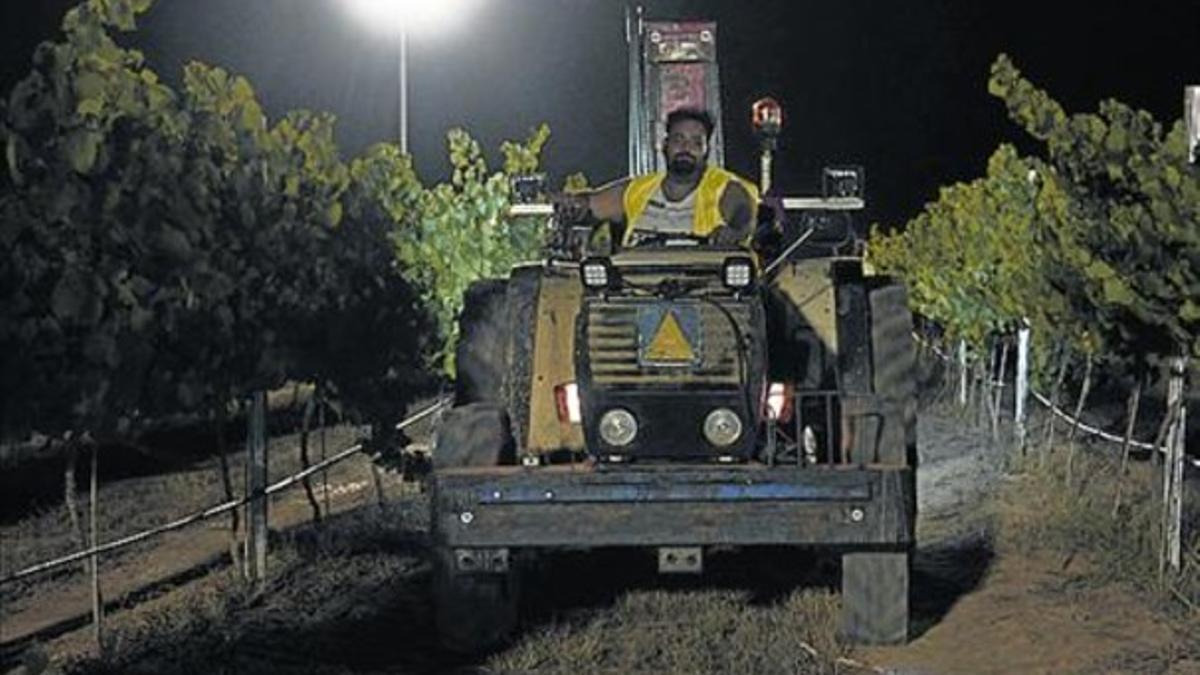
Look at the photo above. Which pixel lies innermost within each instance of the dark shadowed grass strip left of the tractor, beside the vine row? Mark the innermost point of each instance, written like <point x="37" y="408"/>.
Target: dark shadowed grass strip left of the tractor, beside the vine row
<point x="333" y="600"/>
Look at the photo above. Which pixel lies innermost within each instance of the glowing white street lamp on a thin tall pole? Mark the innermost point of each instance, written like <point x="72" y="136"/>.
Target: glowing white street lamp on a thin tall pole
<point x="399" y="19"/>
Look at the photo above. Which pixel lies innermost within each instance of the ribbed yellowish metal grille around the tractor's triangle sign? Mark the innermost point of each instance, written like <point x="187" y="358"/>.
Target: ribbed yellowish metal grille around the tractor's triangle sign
<point x="613" y="347"/>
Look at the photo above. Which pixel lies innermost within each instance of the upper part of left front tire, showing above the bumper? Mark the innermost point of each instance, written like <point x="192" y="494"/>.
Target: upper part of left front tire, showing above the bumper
<point x="473" y="435"/>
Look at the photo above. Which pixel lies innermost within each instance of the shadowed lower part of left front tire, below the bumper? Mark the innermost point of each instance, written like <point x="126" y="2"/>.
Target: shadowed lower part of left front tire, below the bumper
<point x="473" y="613"/>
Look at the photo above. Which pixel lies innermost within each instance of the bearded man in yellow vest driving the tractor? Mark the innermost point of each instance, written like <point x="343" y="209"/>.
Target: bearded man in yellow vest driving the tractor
<point x="691" y="200"/>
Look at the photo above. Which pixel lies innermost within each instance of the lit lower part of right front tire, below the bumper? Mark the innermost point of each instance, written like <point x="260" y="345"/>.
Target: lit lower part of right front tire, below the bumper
<point x="875" y="598"/>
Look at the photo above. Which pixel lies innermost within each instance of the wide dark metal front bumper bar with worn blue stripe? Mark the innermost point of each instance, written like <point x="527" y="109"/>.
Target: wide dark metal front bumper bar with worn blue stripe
<point x="632" y="506"/>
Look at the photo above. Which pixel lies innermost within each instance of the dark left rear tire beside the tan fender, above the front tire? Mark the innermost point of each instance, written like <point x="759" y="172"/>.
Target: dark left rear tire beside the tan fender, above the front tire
<point x="482" y="355"/>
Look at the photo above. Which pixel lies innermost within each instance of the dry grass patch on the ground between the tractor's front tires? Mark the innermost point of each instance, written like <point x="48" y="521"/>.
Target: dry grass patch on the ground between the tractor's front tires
<point x="706" y="631"/>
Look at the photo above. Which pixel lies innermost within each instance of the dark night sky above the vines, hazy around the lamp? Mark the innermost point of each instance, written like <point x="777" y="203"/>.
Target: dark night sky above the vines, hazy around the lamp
<point x="897" y="87"/>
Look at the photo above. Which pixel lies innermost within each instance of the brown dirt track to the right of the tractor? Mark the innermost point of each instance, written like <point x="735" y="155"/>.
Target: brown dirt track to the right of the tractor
<point x="982" y="610"/>
